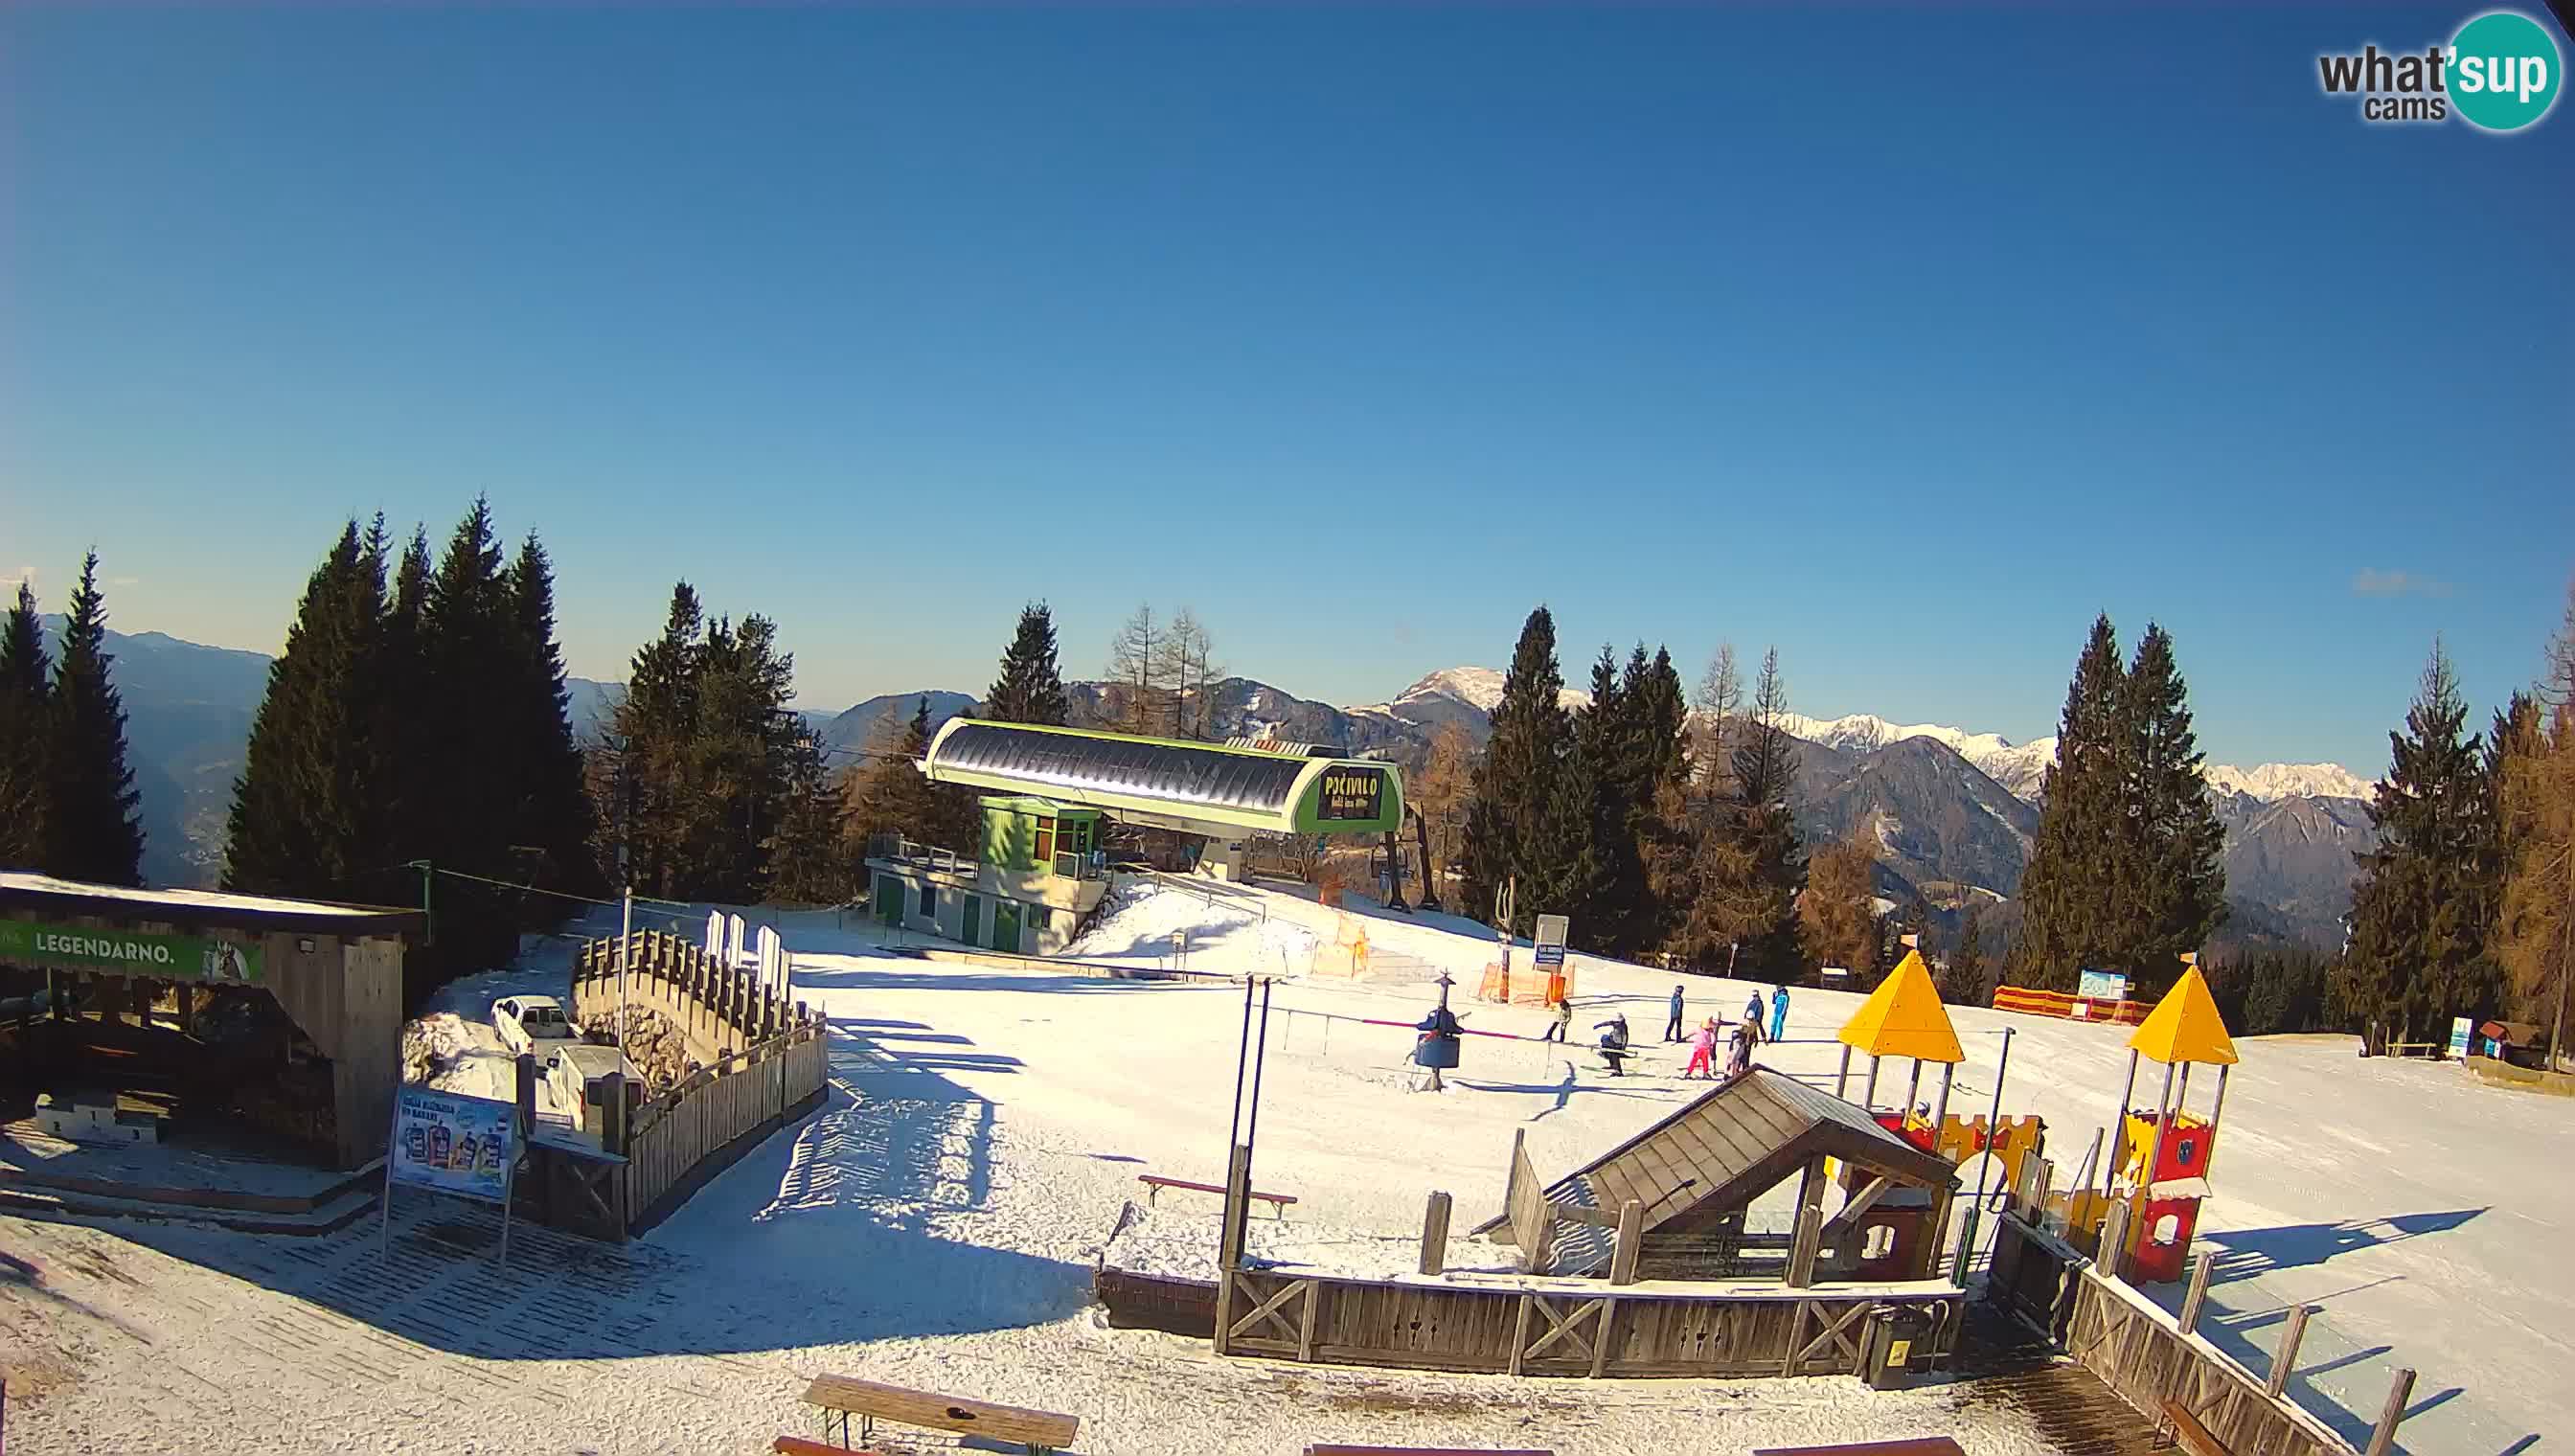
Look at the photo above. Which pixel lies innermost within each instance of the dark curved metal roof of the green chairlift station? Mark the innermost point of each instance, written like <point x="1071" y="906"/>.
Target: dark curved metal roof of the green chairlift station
<point x="1181" y="774"/>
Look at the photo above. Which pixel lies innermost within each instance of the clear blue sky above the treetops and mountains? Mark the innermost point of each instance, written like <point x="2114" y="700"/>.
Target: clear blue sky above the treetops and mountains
<point x="1899" y="341"/>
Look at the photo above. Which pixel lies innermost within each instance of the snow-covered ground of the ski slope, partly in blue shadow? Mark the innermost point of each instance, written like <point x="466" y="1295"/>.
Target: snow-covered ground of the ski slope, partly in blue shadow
<point x="939" y="1220"/>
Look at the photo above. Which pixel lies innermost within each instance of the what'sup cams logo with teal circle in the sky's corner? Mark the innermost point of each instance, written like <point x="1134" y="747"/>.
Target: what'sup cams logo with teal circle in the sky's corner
<point x="2499" y="73"/>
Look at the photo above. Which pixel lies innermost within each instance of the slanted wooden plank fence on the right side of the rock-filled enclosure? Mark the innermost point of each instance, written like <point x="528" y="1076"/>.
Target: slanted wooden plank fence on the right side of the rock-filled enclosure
<point x="715" y="1117"/>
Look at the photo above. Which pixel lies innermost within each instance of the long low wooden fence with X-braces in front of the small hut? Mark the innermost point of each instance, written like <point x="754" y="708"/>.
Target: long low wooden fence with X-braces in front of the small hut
<point x="1567" y="1328"/>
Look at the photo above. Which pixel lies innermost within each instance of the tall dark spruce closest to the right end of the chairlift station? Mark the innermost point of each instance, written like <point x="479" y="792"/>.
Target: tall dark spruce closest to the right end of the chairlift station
<point x="1518" y="805"/>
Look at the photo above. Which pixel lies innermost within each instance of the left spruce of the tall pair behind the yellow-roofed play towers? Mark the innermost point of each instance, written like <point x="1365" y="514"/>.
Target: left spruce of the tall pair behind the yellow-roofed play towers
<point x="2072" y="893"/>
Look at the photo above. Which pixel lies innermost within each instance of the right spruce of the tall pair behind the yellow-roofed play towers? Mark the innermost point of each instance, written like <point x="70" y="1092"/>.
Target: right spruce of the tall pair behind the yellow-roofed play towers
<point x="2175" y="844"/>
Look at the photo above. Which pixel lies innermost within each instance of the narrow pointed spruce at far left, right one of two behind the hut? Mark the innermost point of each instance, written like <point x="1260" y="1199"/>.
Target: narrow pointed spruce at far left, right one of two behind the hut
<point x="91" y="829"/>
